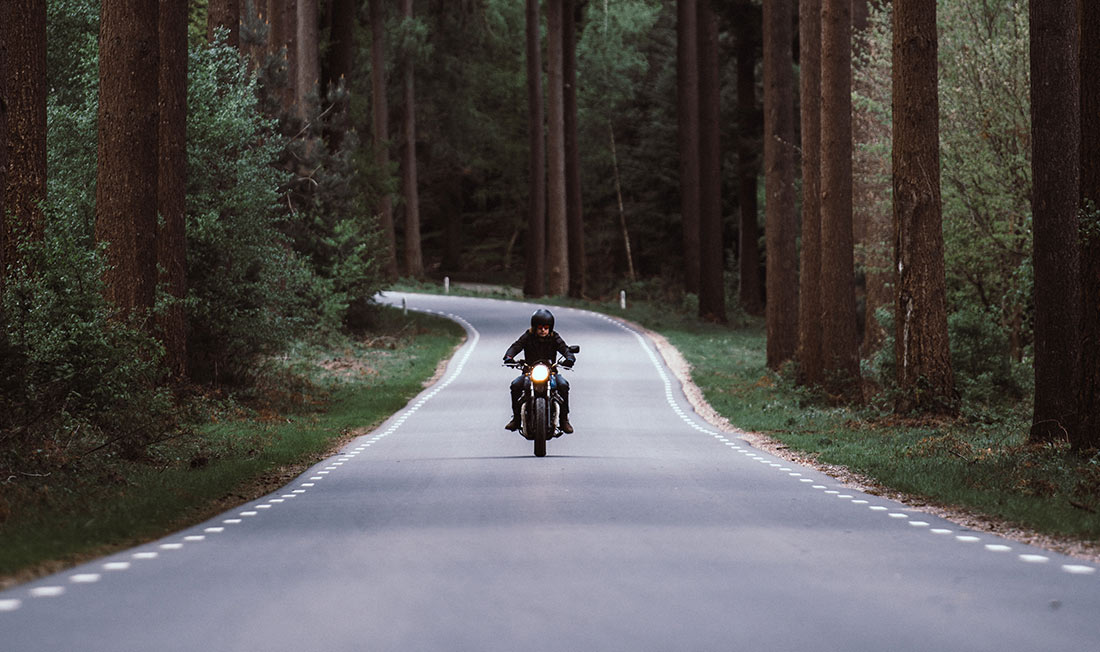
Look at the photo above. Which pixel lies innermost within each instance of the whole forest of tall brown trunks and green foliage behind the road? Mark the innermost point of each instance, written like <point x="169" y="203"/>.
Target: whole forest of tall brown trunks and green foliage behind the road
<point x="904" y="193"/>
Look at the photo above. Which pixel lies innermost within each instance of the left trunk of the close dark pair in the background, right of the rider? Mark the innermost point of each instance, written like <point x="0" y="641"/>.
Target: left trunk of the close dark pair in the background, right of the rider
<point x="688" y="125"/>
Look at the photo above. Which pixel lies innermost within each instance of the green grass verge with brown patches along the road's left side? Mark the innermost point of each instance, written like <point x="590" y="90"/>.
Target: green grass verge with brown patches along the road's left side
<point x="243" y="449"/>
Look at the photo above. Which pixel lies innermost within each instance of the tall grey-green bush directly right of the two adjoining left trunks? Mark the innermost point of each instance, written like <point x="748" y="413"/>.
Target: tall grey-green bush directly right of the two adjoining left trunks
<point x="248" y="291"/>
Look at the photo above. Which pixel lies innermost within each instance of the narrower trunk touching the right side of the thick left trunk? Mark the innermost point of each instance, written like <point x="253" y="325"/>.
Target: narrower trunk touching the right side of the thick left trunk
<point x="172" y="181"/>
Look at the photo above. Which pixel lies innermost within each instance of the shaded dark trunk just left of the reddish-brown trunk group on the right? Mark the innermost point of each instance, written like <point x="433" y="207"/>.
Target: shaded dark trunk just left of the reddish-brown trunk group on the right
<point x="749" y="165"/>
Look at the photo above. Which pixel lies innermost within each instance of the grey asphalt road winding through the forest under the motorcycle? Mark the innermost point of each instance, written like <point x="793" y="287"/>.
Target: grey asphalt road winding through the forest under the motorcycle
<point x="647" y="529"/>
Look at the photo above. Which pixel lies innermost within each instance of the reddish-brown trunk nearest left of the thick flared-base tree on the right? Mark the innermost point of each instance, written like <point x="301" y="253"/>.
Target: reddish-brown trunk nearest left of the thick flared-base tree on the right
<point x="840" y="341"/>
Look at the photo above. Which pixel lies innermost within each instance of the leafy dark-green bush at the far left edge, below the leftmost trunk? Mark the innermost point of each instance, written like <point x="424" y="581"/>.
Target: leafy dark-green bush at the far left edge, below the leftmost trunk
<point x="75" y="378"/>
